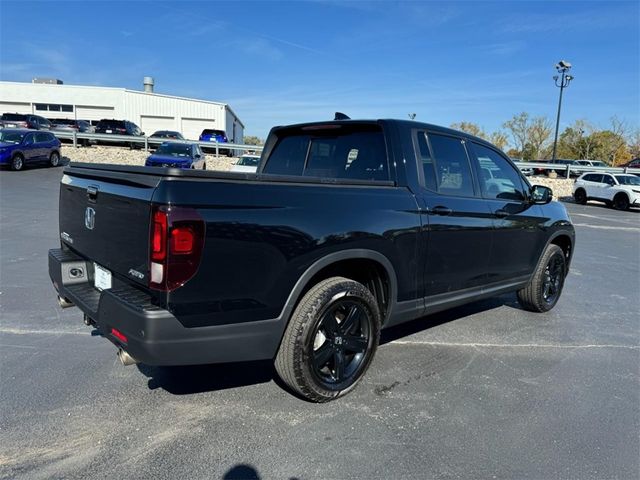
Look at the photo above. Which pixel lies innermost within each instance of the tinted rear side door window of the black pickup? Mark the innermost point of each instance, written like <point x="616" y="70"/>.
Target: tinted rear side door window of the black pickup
<point x="453" y="172"/>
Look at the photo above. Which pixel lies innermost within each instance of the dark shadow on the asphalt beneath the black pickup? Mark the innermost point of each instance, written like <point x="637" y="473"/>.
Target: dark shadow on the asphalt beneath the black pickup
<point x="187" y="380"/>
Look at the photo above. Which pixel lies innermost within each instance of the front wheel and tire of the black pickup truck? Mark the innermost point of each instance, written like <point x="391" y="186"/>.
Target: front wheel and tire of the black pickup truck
<point x="545" y="287"/>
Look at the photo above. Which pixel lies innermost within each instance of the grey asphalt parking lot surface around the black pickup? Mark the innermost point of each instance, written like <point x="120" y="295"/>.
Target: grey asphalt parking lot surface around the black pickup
<point x="484" y="391"/>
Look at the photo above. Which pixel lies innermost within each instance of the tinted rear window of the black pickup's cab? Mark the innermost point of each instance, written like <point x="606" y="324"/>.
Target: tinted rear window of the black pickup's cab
<point x="343" y="151"/>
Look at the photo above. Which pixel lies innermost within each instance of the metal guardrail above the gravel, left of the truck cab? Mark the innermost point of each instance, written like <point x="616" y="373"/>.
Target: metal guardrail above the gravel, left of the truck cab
<point x="141" y="141"/>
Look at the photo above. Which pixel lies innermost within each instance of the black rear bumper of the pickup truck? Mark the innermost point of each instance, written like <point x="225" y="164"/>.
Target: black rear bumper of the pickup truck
<point x="154" y="335"/>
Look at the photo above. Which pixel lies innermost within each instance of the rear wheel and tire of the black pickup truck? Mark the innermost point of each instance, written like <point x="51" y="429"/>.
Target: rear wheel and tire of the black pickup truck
<point x="321" y="356"/>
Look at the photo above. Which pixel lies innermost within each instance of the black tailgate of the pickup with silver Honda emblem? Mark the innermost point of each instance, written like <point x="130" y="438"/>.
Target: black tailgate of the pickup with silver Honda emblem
<point x="105" y="218"/>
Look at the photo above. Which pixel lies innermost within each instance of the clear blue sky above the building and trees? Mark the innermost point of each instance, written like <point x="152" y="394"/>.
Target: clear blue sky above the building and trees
<point x="285" y="62"/>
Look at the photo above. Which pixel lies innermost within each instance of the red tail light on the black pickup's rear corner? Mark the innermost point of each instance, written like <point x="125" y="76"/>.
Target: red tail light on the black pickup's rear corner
<point x="176" y="243"/>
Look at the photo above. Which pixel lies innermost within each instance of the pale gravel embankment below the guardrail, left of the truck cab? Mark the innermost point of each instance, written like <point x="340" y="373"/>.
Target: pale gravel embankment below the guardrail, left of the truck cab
<point x="125" y="156"/>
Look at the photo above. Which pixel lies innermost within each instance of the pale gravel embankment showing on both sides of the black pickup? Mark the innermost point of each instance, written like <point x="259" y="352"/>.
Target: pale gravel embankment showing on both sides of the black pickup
<point x="562" y="187"/>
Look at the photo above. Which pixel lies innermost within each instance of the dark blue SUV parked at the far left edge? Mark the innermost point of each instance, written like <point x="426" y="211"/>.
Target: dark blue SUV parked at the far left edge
<point x="19" y="147"/>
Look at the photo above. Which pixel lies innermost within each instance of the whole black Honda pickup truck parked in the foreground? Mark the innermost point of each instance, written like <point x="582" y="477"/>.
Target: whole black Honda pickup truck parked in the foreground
<point x="347" y="227"/>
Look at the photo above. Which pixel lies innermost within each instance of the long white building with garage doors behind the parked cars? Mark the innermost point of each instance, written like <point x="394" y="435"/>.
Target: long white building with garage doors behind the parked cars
<point x="150" y="111"/>
